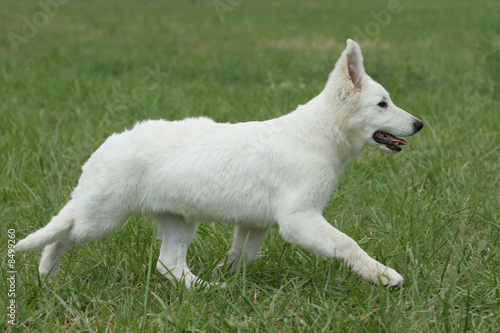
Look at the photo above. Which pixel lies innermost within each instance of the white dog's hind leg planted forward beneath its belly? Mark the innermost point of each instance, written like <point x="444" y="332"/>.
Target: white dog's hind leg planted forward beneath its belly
<point x="177" y="234"/>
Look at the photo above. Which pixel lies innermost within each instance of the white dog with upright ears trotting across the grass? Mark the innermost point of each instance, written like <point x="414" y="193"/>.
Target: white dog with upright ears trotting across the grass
<point x="256" y="175"/>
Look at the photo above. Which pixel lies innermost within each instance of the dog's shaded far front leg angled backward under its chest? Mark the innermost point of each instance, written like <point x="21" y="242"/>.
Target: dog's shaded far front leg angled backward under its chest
<point x="245" y="240"/>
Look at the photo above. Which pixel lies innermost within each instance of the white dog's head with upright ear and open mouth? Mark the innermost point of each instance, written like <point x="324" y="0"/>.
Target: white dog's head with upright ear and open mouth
<point x="369" y="110"/>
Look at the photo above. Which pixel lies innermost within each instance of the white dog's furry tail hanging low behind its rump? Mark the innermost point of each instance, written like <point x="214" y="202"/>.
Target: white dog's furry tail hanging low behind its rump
<point x="57" y="228"/>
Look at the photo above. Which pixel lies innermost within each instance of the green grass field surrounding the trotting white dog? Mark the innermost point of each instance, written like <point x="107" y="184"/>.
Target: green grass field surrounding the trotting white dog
<point x="75" y="72"/>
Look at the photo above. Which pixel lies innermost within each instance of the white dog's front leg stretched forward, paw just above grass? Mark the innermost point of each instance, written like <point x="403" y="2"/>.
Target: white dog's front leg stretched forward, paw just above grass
<point x="312" y="232"/>
